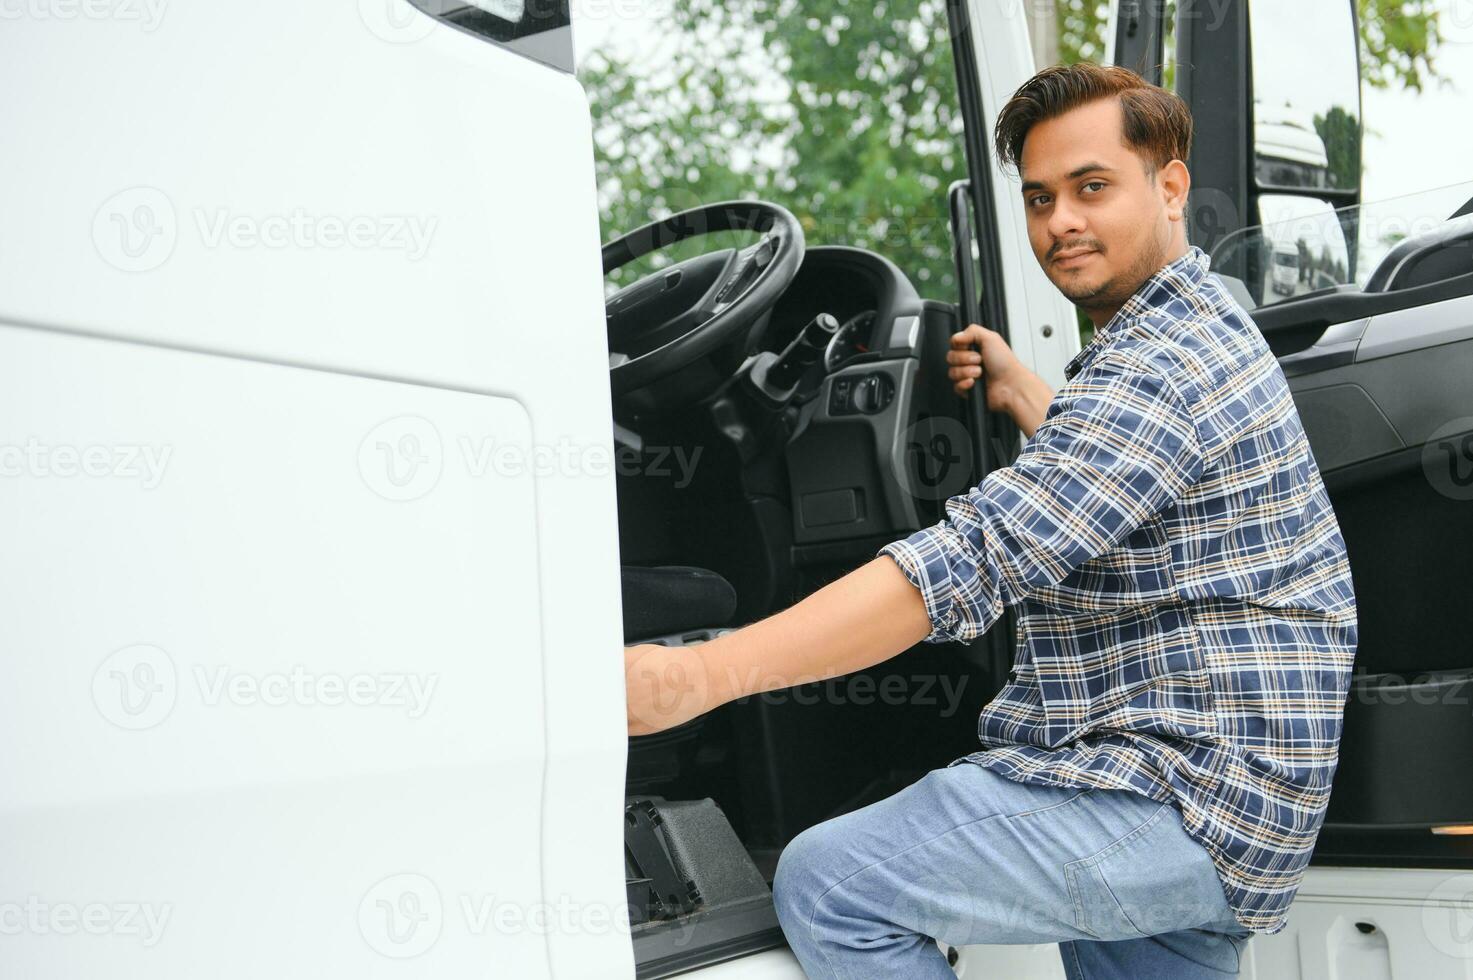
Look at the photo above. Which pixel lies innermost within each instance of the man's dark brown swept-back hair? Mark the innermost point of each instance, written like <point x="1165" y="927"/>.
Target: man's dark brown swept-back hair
<point x="1159" y="123"/>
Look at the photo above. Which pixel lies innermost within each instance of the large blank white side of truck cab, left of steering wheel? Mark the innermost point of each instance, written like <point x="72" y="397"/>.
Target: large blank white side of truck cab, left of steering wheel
<point x="303" y="391"/>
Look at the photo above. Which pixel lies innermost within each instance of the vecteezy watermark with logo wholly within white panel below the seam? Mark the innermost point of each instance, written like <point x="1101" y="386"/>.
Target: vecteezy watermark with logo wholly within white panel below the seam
<point x="138" y="687"/>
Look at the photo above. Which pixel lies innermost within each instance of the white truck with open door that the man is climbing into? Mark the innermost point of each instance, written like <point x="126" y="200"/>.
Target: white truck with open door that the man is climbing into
<point x="334" y="489"/>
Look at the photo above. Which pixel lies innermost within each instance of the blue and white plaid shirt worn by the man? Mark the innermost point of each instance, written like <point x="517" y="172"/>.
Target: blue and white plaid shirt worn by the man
<point x="1187" y="623"/>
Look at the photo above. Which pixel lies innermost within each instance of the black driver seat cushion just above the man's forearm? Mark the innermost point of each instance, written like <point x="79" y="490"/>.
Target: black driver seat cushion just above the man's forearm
<point x="669" y="599"/>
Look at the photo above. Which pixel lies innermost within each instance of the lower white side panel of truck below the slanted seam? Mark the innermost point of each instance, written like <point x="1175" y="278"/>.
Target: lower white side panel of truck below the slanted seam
<point x="250" y="682"/>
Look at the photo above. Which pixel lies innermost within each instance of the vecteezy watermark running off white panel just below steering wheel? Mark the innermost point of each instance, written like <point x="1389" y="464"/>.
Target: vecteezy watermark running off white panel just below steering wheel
<point x="403" y="459"/>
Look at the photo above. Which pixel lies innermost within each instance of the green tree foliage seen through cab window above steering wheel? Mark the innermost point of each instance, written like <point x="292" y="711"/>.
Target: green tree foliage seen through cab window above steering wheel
<point x="843" y="111"/>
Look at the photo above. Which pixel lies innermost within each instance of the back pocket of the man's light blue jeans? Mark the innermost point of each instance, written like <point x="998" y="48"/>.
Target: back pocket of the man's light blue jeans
<point x="1151" y="882"/>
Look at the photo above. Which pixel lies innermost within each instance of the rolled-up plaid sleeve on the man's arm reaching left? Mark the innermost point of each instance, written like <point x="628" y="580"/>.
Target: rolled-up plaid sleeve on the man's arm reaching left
<point x="1116" y="447"/>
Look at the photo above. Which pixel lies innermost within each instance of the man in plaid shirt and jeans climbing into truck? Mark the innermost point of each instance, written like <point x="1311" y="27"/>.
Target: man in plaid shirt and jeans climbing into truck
<point x="1157" y="769"/>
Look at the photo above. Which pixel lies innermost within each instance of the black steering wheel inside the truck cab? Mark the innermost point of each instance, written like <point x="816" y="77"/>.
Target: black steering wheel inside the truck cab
<point x="686" y="312"/>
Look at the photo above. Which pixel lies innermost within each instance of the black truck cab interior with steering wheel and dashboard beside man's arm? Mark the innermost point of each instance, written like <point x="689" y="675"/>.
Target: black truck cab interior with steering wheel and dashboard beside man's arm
<point x="793" y="385"/>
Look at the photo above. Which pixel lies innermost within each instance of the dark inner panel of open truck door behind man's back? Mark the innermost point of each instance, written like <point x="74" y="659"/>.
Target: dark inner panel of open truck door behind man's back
<point x="1388" y="434"/>
